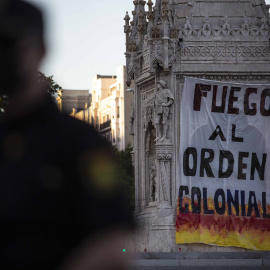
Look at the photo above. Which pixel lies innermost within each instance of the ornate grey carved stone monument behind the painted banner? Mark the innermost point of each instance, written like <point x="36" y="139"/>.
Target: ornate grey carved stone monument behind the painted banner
<point x="218" y="40"/>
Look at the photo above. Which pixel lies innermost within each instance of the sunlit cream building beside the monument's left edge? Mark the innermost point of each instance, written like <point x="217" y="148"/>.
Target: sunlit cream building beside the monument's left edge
<point x="110" y="108"/>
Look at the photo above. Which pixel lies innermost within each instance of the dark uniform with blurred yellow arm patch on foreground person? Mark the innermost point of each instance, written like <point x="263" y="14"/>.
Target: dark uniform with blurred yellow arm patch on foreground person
<point x="58" y="185"/>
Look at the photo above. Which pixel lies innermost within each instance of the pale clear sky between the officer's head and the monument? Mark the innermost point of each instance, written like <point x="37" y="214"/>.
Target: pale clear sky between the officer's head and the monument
<point x="84" y="38"/>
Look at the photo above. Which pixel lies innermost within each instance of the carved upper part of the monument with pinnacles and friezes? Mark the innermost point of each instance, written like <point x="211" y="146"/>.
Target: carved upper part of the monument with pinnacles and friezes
<point x="185" y="31"/>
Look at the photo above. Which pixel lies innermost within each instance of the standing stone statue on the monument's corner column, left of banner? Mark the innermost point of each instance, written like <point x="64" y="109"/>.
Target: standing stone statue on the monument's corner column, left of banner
<point x="164" y="100"/>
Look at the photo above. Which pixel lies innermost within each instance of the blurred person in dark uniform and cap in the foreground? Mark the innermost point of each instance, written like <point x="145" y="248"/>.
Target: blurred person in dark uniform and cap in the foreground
<point x="60" y="202"/>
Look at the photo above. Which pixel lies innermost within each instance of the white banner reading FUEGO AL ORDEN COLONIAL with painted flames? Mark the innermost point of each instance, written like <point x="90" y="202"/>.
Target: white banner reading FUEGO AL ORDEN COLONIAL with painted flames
<point x="224" y="194"/>
